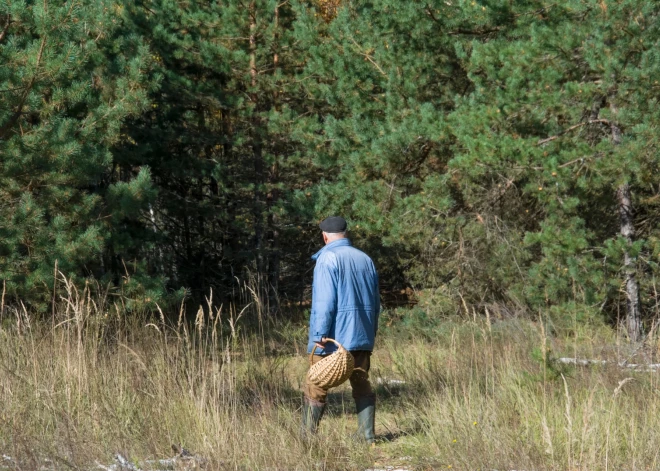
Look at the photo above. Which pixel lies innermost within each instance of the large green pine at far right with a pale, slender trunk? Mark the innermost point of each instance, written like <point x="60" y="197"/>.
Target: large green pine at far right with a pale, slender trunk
<point x="560" y="115"/>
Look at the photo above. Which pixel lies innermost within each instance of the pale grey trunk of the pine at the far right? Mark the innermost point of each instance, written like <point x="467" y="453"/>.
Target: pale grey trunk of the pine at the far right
<point x="633" y="311"/>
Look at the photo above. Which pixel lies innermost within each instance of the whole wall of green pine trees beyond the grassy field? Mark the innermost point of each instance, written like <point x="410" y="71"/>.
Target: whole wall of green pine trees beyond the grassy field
<point x="488" y="155"/>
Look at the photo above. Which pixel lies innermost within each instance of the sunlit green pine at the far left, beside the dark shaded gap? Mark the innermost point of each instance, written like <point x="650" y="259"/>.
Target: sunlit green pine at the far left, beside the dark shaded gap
<point x="67" y="81"/>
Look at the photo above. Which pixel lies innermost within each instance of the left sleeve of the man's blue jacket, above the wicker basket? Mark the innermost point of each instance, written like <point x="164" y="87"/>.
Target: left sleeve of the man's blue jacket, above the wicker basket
<point x="324" y="299"/>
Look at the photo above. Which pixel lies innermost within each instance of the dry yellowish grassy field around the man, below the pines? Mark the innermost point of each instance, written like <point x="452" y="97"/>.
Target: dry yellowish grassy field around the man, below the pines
<point x="471" y="394"/>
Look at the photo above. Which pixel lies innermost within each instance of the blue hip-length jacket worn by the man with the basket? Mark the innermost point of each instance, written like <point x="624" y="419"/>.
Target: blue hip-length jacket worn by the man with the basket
<point x="345" y="299"/>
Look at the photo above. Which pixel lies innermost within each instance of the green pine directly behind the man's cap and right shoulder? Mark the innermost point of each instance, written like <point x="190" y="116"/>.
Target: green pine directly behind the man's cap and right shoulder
<point x="388" y="73"/>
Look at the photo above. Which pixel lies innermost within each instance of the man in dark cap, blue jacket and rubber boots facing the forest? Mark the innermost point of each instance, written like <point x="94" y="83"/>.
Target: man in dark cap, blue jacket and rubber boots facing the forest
<point x="345" y="307"/>
